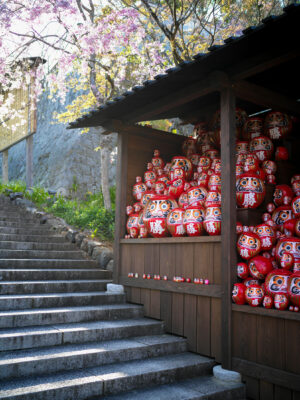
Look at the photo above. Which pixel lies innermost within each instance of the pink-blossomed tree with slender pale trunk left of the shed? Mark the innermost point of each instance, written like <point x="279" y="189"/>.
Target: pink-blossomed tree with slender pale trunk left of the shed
<point x="92" y="50"/>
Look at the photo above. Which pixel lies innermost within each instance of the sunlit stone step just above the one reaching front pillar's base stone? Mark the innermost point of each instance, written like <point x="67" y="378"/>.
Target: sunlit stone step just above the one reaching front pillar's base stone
<point x="25" y="363"/>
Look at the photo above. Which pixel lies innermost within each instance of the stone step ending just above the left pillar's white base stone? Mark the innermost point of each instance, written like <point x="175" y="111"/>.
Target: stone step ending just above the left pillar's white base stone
<point x="52" y="274"/>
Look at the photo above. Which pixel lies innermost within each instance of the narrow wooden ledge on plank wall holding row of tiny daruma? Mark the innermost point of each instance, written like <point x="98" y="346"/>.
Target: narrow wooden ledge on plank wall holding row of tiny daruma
<point x="175" y="287"/>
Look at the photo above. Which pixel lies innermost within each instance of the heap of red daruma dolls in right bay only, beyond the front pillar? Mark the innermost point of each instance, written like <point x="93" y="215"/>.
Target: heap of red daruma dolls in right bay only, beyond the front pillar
<point x="269" y="272"/>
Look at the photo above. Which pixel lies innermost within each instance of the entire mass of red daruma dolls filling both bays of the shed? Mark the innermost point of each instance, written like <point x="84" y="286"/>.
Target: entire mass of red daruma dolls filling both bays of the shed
<point x="183" y="198"/>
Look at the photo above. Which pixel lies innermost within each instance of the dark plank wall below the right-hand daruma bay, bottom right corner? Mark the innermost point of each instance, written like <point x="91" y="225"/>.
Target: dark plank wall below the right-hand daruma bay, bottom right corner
<point x="266" y="351"/>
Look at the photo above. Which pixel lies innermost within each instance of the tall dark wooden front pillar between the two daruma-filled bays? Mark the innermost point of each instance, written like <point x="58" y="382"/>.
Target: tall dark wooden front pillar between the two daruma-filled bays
<point x="228" y="138"/>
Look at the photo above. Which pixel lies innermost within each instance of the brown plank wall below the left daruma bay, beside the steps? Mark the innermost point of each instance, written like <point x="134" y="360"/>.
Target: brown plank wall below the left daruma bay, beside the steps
<point x="195" y="316"/>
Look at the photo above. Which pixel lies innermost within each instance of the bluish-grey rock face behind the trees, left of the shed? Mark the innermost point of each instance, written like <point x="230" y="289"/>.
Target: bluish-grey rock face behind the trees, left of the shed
<point x="61" y="157"/>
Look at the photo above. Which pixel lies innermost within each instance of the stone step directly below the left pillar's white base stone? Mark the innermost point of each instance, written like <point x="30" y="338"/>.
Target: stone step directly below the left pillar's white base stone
<point x="42" y="300"/>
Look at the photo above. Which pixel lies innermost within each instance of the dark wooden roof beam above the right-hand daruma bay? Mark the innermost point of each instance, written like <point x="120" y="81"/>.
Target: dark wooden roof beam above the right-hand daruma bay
<point x="259" y="95"/>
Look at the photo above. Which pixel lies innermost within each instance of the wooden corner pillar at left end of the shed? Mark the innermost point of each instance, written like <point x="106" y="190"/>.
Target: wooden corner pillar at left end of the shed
<point x="121" y="198"/>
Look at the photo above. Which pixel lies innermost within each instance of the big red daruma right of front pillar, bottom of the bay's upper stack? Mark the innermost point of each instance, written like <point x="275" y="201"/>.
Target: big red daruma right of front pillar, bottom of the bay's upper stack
<point x="250" y="190"/>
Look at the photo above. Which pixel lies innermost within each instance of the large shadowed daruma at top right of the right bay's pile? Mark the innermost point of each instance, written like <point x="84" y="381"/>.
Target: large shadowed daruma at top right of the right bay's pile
<point x="277" y="125"/>
